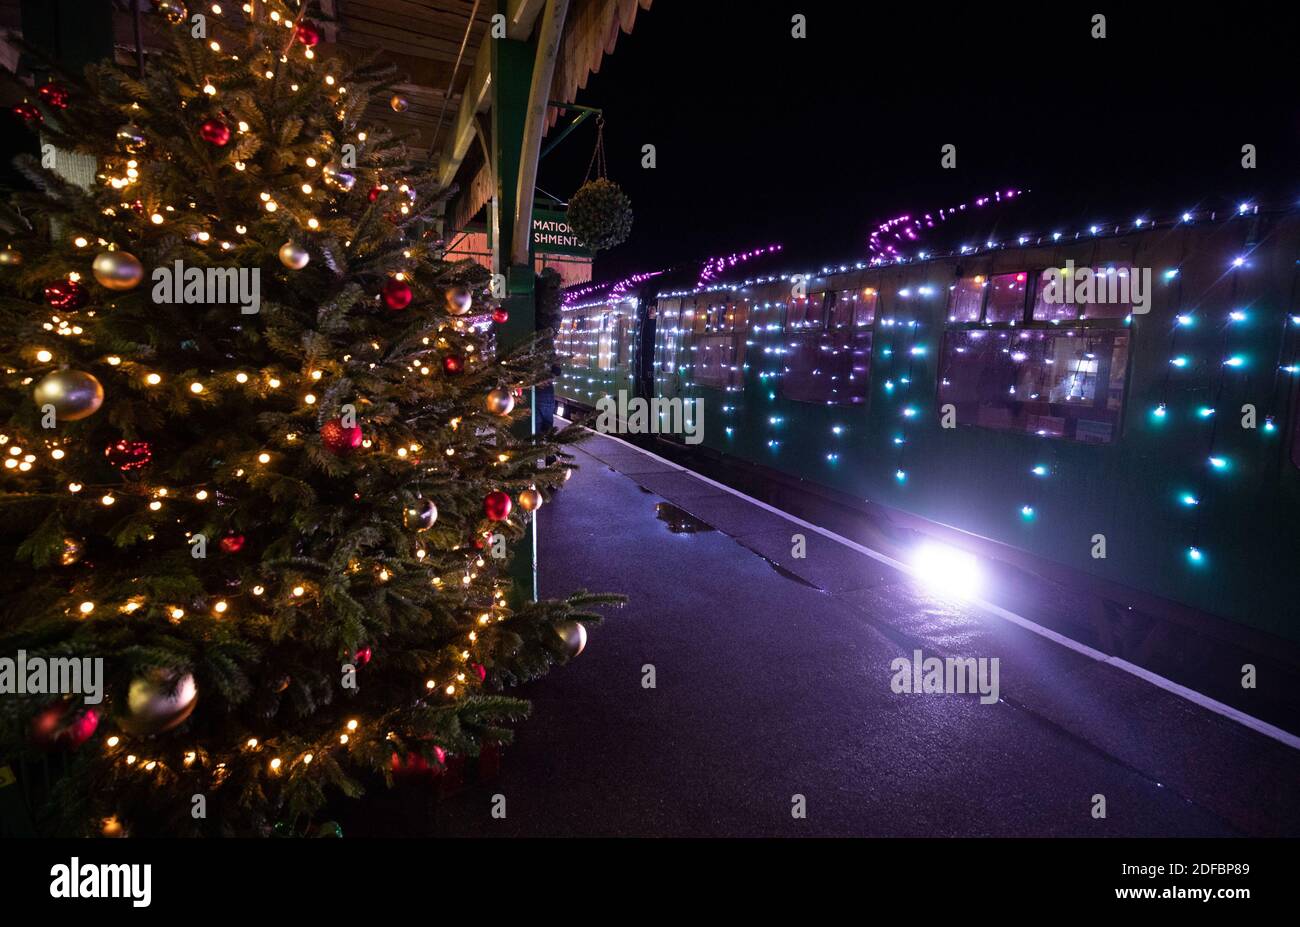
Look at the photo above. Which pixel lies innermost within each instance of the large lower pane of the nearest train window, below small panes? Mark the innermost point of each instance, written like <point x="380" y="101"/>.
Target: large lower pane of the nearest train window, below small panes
<point x="1064" y="384"/>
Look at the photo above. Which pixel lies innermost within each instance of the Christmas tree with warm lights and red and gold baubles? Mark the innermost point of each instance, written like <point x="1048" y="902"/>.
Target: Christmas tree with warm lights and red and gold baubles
<point x="263" y="457"/>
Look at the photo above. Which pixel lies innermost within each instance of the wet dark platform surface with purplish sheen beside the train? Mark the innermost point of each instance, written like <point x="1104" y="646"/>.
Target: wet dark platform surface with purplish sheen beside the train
<point x="773" y="679"/>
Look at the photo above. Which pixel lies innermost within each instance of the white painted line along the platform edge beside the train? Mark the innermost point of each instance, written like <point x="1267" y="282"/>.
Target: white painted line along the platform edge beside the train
<point x="1132" y="669"/>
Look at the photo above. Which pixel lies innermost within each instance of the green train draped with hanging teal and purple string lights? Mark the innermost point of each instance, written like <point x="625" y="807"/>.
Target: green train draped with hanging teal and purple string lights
<point x="1149" y="441"/>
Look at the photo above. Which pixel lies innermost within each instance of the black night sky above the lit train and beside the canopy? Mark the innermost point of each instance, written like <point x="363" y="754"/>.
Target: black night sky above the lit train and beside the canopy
<point x="812" y="144"/>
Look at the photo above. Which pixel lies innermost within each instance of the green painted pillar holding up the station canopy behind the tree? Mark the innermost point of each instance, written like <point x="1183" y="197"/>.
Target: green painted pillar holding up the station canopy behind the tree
<point x="512" y="81"/>
